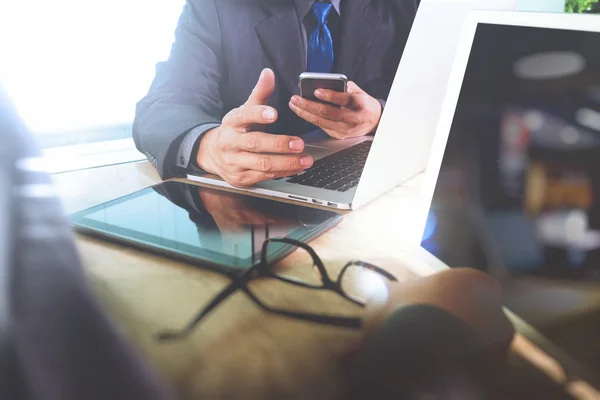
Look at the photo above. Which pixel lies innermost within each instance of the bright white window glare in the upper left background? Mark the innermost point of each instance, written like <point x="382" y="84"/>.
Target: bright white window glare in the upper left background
<point x="72" y="65"/>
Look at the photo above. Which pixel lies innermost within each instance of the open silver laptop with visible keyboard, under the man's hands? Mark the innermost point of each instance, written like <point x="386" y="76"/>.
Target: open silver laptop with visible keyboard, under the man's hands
<point x="350" y="173"/>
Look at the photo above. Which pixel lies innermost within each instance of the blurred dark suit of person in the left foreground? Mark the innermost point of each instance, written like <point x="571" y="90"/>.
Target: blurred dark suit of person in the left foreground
<point x="55" y="340"/>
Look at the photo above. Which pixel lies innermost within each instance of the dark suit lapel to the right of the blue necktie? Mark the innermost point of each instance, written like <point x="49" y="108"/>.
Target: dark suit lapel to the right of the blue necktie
<point x="360" y="23"/>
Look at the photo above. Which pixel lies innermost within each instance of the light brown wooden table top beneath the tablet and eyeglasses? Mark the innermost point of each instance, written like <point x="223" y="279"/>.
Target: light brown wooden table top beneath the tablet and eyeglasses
<point x="240" y="351"/>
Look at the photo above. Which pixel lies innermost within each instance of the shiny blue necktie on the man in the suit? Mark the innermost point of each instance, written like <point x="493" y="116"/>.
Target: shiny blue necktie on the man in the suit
<point x="320" y="43"/>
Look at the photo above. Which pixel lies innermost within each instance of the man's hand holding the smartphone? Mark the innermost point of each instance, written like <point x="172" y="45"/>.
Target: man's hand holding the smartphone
<point x="347" y="115"/>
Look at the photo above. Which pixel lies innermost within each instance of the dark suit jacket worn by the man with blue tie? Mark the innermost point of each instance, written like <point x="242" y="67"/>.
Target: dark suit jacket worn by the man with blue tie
<point x="221" y="47"/>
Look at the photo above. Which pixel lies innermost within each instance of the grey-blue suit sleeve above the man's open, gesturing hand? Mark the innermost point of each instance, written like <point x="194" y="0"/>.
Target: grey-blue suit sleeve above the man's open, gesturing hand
<point x="185" y="93"/>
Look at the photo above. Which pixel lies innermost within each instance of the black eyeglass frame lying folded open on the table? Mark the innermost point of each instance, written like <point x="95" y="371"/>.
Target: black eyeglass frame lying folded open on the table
<point x="263" y="270"/>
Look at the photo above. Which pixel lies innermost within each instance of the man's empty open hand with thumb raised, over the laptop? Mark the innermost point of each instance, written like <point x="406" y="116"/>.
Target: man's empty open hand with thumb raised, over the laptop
<point x="243" y="155"/>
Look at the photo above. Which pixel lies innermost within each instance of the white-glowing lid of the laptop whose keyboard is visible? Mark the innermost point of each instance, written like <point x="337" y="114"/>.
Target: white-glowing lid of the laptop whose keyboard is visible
<point x="403" y="142"/>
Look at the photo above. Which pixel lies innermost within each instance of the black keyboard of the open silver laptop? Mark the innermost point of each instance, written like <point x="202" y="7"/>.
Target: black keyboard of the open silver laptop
<point x="339" y="171"/>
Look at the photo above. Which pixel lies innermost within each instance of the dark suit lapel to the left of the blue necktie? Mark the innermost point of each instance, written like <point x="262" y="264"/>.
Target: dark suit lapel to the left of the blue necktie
<point x="280" y="36"/>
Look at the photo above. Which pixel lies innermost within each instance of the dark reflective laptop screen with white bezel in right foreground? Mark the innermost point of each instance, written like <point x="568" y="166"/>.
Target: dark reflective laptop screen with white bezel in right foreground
<point x="518" y="194"/>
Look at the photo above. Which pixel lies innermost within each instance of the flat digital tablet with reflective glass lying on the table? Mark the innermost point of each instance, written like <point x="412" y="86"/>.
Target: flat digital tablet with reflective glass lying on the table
<point x="204" y="226"/>
